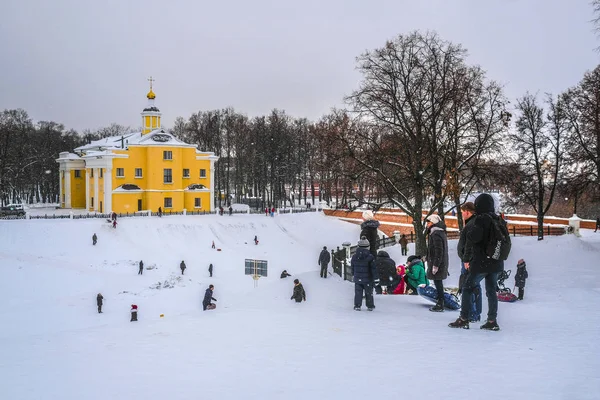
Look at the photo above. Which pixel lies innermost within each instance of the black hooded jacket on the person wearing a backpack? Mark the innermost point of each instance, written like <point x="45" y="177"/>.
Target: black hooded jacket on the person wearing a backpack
<point x="479" y="236"/>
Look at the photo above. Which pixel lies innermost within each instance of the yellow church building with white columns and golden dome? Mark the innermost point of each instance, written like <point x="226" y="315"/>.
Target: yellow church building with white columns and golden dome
<point x="139" y="171"/>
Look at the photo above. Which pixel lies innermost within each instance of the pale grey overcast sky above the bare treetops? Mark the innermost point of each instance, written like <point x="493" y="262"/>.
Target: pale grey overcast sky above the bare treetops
<point x="86" y="63"/>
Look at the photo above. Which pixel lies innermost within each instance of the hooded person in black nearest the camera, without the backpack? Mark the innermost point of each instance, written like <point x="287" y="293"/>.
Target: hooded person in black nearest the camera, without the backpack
<point x="480" y="266"/>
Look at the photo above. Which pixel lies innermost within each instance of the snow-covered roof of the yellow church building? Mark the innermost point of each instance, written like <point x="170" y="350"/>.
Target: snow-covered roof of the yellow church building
<point x="158" y="137"/>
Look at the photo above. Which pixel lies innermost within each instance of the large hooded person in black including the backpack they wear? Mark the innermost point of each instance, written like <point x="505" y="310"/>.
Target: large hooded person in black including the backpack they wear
<point x="490" y="242"/>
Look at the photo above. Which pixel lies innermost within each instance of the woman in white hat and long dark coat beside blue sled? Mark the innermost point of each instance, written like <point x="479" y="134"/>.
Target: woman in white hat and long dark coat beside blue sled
<point x="437" y="258"/>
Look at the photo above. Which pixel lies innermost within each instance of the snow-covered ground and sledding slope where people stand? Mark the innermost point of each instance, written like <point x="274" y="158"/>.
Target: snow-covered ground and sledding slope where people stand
<point x="260" y="345"/>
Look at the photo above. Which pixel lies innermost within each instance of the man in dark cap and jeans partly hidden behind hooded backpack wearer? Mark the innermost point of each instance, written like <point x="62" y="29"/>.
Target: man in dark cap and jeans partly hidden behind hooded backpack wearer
<point x="465" y="254"/>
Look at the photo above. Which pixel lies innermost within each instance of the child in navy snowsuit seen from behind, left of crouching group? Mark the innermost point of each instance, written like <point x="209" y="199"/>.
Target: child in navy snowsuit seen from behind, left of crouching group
<point x="365" y="275"/>
